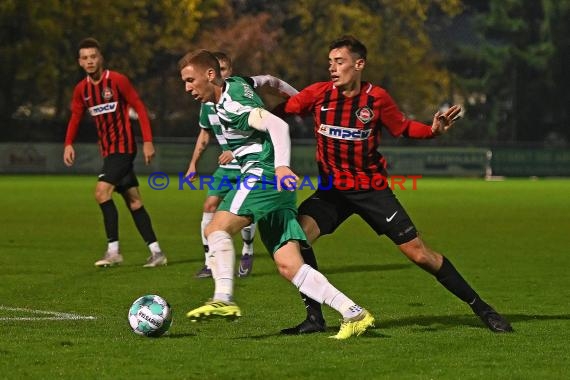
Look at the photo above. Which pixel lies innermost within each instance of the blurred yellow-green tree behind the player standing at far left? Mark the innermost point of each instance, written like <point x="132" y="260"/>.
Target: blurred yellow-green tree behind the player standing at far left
<point x="142" y="39"/>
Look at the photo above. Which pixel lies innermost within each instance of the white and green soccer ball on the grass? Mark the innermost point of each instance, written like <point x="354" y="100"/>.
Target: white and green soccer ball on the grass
<point x="150" y="315"/>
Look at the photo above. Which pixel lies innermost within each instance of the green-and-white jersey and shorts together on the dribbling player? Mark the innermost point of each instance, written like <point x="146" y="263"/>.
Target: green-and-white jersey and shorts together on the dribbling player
<point x="274" y="211"/>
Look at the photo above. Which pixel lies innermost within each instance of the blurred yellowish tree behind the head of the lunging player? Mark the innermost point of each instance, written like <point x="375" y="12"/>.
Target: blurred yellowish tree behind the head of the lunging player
<point x="400" y="54"/>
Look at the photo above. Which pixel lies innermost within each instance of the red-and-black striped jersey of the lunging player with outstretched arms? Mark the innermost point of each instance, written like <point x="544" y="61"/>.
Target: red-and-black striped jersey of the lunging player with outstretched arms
<point x="348" y="129"/>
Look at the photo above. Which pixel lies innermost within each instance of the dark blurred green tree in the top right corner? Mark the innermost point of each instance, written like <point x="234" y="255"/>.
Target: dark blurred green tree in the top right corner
<point x="513" y="76"/>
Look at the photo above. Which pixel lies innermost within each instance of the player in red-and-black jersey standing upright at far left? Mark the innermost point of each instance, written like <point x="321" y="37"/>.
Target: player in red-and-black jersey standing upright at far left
<point x="107" y="95"/>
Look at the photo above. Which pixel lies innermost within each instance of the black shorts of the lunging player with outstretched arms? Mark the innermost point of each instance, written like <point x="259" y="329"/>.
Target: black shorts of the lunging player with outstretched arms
<point x="380" y="209"/>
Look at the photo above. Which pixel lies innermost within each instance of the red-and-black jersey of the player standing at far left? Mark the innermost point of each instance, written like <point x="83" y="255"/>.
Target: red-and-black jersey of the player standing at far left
<point x="108" y="103"/>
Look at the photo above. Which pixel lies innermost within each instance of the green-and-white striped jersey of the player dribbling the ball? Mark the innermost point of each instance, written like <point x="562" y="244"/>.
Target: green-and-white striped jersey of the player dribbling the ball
<point x="253" y="149"/>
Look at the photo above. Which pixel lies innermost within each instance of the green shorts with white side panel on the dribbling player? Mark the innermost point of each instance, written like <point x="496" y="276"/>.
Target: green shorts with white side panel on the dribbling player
<point x="275" y="213"/>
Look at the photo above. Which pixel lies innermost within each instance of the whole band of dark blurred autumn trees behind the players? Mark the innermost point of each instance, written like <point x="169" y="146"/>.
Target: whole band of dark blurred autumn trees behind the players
<point x="505" y="61"/>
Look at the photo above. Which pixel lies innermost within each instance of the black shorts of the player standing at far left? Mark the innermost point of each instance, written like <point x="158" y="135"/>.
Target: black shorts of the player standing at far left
<point x="118" y="170"/>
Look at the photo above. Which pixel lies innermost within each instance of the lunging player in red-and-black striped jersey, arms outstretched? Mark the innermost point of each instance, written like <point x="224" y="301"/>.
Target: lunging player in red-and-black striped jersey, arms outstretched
<point x="348" y="115"/>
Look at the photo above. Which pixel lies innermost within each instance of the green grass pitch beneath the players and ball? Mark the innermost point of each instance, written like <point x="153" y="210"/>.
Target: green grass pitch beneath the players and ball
<point x="509" y="240"/>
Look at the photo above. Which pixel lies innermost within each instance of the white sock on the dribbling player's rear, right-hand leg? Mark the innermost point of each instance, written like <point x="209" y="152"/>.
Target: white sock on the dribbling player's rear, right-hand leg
<point x="316" y="286"/>
